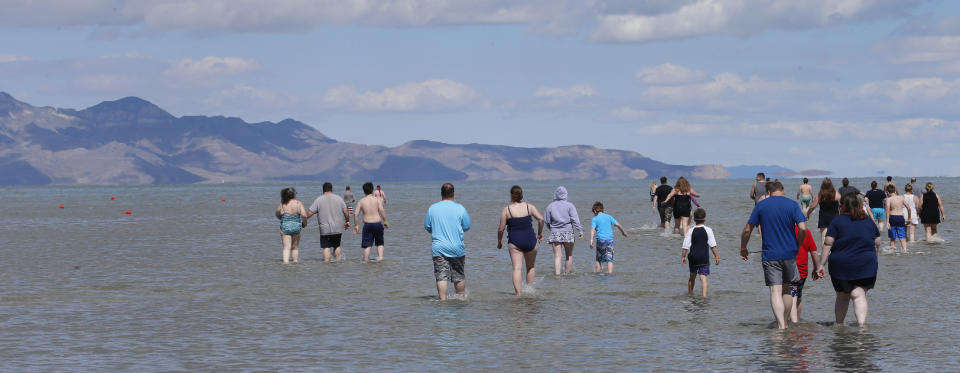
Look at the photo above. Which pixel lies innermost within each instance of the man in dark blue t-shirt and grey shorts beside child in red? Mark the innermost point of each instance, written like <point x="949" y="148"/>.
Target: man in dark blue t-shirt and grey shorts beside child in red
<point x="778" y="215"/>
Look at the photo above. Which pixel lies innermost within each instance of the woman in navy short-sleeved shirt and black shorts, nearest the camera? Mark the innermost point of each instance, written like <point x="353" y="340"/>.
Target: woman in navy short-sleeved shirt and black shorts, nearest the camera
<point x="851" y="251"/>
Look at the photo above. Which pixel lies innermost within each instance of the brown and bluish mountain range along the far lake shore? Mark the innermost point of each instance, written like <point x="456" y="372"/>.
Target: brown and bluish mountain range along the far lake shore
<point x="132" y="141"/>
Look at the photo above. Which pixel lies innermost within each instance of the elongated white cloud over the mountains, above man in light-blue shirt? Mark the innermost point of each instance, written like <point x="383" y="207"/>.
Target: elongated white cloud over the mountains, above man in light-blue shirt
<point x="430" y="95"/>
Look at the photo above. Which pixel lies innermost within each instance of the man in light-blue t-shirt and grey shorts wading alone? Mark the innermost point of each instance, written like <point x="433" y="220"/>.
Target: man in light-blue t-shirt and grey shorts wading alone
<point x="446" y="221"/>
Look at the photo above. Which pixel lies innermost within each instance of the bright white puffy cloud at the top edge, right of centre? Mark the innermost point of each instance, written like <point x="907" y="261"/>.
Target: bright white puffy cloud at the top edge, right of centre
<point x="739" y="17"/>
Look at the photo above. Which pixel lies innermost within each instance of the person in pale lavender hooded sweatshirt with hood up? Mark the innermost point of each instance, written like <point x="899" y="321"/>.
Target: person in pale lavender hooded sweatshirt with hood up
<point x="561" y="217"/>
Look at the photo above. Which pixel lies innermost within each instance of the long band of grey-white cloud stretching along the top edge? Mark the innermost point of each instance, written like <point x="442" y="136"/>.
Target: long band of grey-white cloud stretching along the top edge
<point x="612" y="20"/>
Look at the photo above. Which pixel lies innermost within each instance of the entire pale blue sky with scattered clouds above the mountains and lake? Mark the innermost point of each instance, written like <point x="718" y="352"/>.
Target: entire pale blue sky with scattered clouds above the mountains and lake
<point x="857" y="87"/>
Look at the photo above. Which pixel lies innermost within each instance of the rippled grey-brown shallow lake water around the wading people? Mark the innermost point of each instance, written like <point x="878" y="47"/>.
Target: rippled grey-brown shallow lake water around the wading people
<point x="187" y="282"/>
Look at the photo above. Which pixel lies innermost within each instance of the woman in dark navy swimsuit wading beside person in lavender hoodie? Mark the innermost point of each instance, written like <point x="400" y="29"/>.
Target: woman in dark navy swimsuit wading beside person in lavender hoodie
<point x="521" y="241"/>
